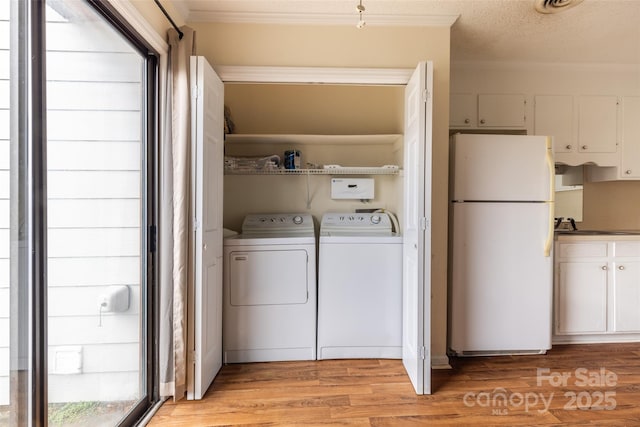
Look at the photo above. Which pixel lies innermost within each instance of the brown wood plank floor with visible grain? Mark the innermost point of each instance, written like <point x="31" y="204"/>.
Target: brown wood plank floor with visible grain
<point x="571" y="385"/>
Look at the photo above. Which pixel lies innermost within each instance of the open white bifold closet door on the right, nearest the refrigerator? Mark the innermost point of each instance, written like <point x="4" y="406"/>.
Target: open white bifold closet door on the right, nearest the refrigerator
<point x="416" y="286"/>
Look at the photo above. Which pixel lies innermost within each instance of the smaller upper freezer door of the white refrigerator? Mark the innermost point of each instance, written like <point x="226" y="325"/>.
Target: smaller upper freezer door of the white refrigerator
<point x="502" y="167"/>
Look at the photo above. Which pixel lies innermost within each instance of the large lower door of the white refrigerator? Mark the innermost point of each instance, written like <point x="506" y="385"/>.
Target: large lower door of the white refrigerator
<point x="501" y="280"/>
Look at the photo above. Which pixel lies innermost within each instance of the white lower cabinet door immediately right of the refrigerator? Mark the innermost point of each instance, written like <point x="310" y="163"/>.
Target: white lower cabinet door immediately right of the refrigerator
<point x="581" y="297"/>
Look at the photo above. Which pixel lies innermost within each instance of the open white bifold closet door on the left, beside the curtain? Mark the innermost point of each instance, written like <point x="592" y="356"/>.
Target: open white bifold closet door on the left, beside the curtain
<point x="207" y="108"/>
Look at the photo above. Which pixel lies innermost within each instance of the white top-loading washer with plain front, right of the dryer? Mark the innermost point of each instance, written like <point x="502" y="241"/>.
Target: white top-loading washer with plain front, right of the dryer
<point x="359" y="287"/>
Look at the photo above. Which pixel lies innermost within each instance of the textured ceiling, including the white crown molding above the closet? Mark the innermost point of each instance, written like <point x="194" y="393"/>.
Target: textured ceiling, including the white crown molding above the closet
<point x="600" y="31"/>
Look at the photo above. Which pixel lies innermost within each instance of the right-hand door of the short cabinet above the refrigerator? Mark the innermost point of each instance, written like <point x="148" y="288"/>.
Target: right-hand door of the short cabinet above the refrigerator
<point x="501" y="111"/>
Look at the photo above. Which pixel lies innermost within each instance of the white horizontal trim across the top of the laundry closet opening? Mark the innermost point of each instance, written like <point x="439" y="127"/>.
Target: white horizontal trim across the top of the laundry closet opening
<point x="313" y="75"/>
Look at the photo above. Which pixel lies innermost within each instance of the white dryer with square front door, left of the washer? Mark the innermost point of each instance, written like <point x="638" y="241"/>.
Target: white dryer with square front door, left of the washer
<point x="270" y="292"/>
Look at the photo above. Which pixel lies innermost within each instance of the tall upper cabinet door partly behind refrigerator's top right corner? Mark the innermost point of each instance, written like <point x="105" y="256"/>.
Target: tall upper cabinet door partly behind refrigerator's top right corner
<point x="553" y="116"/>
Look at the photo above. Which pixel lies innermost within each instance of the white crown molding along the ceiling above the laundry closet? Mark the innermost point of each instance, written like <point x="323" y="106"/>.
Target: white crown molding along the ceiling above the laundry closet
<point x="321" y="19"/>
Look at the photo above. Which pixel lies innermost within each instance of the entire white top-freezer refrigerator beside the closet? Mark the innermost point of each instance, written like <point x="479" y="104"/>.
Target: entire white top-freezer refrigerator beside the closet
<point x="501" y="225"/>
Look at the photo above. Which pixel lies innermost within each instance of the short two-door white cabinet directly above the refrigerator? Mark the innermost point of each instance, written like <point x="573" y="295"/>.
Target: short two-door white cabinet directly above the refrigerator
<point x="488" y="111"/>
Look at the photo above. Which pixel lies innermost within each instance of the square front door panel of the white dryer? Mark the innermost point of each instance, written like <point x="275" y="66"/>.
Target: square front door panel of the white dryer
<point x="267" y="277"/>
